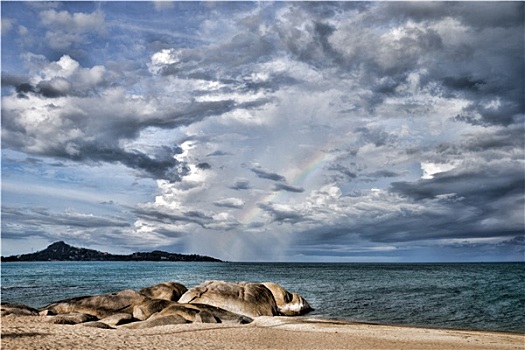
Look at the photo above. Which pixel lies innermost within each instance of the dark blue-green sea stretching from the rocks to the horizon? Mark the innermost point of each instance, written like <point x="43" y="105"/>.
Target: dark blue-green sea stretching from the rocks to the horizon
<point x="465" y="296"/>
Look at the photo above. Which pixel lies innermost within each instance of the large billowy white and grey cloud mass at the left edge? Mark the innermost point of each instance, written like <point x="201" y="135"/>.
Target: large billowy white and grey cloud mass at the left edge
<point x="73" y="91"/>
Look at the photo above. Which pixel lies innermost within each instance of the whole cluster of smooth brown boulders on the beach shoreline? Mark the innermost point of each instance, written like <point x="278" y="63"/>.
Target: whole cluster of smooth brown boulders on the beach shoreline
<point x="172" y="303"/>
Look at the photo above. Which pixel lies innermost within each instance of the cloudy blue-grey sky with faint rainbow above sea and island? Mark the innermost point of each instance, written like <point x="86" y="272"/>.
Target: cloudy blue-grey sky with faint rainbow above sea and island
<point x="265" y="131"/>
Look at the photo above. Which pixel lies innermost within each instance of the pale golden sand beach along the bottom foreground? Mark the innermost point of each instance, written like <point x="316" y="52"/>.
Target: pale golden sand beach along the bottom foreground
<point x="33" y="333"/>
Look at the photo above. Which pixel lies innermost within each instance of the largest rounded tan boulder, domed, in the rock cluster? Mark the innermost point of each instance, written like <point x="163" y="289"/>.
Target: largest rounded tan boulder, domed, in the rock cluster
<point x="249" y="299"/>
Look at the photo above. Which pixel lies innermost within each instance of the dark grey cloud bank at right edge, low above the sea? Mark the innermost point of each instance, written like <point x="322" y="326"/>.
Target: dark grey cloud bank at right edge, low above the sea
<point x="485" y="203"/>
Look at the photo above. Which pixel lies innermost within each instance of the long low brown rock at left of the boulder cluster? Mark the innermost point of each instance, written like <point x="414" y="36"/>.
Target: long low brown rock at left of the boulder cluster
<point x="100" y="306"/>
